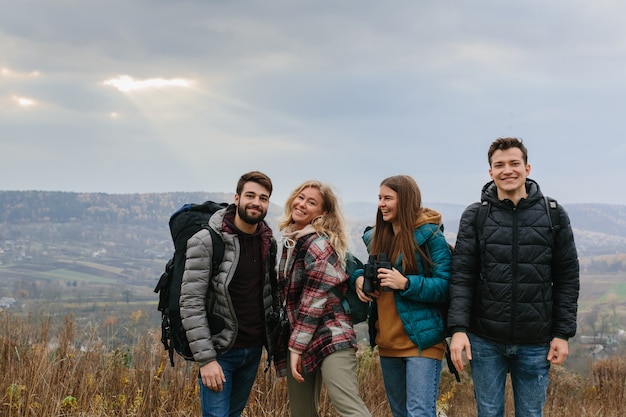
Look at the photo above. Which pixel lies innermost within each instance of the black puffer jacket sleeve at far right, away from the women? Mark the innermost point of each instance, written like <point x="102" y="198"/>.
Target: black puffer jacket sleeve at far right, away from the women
<point x="565" y="280"/>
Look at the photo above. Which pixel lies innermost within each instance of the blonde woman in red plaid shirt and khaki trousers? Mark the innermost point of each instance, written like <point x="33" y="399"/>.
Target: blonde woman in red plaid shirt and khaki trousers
<point x="321" y="345"/>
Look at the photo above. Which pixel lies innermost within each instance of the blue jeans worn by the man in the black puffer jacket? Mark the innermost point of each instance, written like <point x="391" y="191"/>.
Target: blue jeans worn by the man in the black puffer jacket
<point x="529" y="369"/>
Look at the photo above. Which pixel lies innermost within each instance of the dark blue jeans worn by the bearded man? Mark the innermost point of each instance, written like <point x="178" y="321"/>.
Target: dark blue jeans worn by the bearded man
<point x="240" y="368"/>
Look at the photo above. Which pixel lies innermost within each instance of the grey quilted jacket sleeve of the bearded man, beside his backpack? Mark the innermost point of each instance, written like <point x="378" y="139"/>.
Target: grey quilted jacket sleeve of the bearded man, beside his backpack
<point x="193" y="291"/>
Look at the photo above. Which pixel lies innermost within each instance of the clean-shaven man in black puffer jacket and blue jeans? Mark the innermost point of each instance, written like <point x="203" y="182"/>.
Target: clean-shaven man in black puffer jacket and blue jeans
<point x="514" y="287"/>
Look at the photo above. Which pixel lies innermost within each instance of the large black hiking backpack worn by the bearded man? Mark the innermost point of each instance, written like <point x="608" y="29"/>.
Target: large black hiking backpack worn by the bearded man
<point x="184" y="223"/>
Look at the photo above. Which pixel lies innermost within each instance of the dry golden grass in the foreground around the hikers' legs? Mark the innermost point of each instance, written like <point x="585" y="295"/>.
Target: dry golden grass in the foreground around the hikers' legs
<point x="52" y="369"/>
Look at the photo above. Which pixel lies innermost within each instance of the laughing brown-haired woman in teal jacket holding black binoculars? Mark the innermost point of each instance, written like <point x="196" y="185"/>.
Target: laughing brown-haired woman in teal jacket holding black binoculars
<point x="405" y="322"/>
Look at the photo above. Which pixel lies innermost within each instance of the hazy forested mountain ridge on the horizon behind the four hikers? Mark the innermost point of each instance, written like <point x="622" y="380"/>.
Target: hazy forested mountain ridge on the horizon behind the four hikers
<point x="598" y="228"/>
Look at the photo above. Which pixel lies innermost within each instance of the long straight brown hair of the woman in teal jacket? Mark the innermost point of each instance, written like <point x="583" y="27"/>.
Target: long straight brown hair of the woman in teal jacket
<point x="409" y="208"/>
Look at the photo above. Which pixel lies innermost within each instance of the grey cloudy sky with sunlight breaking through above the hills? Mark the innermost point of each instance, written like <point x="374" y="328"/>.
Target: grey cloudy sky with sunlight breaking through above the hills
<point x="136" y="96"/>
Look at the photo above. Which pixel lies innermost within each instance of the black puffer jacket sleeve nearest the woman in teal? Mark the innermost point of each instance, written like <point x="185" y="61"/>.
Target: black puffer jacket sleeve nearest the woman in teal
<point x="465" y="271"/>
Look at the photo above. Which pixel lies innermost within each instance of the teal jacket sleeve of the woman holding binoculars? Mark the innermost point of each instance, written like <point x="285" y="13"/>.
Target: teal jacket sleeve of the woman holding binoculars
<point x="433" y="289"/>
